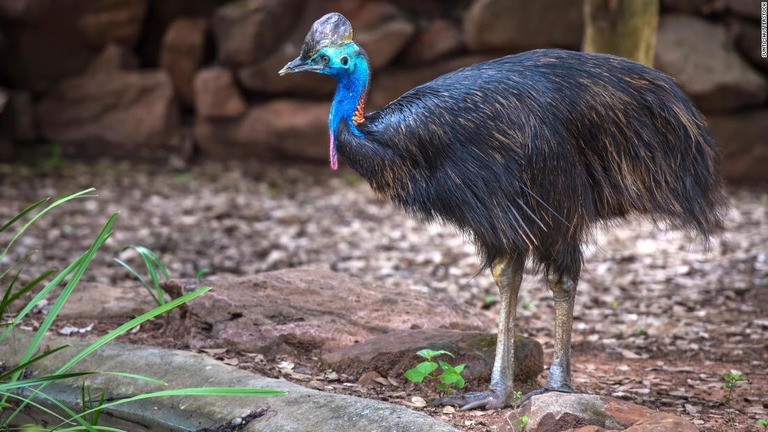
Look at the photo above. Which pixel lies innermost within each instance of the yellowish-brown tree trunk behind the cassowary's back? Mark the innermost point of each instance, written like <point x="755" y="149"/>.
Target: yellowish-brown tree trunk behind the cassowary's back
<point x="625" y="28"/>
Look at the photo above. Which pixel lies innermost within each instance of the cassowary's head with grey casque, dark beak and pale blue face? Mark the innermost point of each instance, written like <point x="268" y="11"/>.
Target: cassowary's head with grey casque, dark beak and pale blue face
<point x="328" y="49"/>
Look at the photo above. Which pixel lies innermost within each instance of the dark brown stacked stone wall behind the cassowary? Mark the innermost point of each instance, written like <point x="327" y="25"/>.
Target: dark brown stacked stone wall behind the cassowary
<point x="144" y="77"/>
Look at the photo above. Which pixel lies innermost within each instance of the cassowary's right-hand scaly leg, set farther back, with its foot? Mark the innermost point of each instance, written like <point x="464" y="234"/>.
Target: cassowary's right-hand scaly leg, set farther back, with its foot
<point x="564" y="293"/>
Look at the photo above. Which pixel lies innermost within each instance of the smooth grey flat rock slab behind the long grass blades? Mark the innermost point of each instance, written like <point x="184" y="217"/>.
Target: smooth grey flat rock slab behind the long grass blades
<point x="300" y="409"/>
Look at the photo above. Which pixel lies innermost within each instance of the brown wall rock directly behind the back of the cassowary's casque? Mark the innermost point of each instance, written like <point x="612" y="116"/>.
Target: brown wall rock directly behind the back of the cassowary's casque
<point x="382" y="30"/>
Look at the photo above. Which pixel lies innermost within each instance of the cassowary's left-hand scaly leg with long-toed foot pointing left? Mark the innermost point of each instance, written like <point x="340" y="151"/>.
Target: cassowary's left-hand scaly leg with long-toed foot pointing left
<point x="508" y="274"/>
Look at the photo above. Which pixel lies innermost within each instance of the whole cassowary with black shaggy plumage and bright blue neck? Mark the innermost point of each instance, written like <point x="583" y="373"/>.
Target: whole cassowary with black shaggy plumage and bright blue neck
<point x="525" y="154"/>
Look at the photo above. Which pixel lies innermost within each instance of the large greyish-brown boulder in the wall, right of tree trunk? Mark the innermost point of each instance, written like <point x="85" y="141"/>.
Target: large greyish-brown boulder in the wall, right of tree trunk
<point x="700" y="56"/>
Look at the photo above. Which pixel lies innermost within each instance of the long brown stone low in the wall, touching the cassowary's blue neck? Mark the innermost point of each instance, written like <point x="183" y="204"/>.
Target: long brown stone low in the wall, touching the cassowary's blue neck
<point x="281" y="128"/>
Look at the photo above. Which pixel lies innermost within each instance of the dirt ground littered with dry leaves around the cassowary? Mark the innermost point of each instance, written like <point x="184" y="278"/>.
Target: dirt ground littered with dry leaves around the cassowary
<point x="659" y="318"/>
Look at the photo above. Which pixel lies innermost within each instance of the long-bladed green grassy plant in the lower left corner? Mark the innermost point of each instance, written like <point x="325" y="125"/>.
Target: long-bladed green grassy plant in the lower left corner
<point x="13" y="380"/>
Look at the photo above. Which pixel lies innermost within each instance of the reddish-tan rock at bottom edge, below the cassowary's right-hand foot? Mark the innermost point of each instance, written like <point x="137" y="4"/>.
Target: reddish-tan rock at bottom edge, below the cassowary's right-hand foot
<point x="558" y="412"/>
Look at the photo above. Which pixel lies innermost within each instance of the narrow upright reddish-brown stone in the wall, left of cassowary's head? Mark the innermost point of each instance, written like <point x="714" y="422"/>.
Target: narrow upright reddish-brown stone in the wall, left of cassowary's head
<point x="182" y="52"/>
